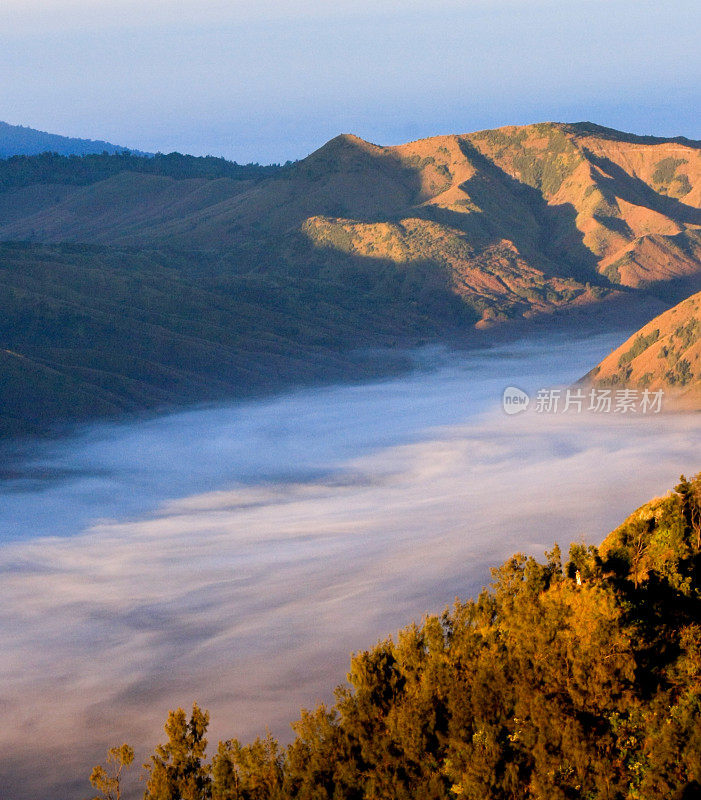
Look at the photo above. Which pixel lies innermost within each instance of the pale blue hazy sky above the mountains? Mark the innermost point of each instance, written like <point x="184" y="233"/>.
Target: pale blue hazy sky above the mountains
<point x="268" y="81"/>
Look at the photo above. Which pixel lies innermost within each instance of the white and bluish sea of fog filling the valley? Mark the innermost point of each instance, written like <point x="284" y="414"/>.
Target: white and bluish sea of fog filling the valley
<point x="236" y="555"/>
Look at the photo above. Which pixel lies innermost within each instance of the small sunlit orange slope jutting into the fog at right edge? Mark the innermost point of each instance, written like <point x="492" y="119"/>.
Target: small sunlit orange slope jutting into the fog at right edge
<point x="665" y="354"/>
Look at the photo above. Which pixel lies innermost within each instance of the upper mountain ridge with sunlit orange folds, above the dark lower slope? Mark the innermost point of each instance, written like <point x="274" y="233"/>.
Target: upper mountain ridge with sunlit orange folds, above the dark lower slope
<point x="516" y="222"/>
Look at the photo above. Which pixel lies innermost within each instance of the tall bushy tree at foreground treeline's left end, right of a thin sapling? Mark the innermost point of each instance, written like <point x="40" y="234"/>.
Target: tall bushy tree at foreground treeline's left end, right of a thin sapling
<point x="177" y="770"/>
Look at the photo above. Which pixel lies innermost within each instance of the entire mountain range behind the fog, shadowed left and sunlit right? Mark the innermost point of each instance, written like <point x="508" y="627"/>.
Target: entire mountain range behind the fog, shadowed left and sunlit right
<point x="134" y="282"/>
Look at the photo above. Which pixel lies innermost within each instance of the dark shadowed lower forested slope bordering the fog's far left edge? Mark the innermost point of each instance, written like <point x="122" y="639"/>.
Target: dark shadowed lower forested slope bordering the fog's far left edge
<point x="88" y="331"/>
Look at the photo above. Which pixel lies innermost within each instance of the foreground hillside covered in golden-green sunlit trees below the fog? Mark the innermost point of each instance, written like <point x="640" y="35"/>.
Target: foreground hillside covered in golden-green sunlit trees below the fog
<point x="564" y="679"/>
